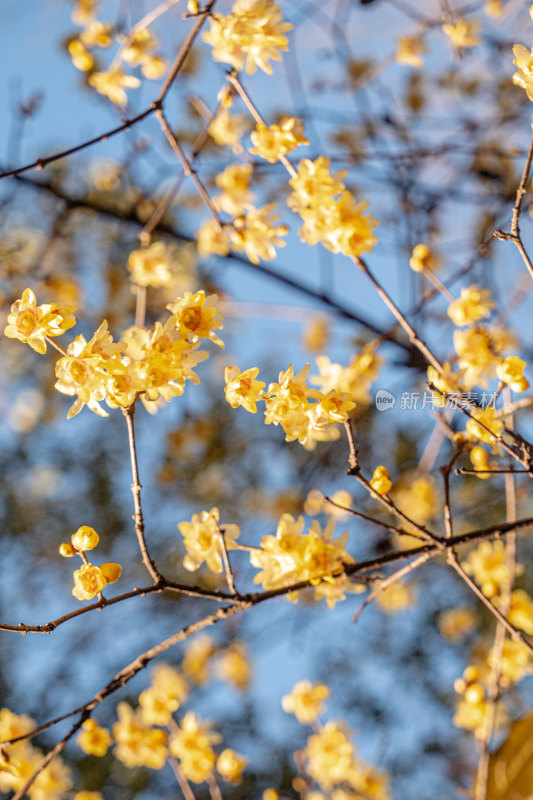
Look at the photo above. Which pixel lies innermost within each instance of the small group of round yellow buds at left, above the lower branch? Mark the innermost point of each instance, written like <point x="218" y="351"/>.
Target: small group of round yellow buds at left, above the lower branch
<point x="88" y="580"/>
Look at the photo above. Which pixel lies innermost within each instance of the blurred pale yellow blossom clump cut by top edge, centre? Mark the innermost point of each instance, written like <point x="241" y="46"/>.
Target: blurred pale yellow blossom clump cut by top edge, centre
<point x="252" y="35"/>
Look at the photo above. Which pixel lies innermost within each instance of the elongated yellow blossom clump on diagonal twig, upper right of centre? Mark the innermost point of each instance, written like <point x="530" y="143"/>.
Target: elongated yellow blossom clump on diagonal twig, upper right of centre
<point x="330" y="213"/>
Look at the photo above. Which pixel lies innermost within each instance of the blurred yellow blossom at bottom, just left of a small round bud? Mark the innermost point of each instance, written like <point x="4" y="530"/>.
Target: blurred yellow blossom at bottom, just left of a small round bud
<point x="191" y="744"/>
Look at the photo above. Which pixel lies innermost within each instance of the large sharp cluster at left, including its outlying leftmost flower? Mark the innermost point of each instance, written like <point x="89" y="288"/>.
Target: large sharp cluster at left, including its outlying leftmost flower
<point x="151" y="364"/>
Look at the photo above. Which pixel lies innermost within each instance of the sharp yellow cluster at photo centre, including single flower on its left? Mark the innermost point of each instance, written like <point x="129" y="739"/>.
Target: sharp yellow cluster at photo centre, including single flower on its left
<point x="305" y="414"/>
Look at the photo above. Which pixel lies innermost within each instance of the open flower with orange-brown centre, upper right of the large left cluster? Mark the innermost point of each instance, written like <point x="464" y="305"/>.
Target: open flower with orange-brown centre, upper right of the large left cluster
<point x="197" y="316"/>
